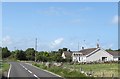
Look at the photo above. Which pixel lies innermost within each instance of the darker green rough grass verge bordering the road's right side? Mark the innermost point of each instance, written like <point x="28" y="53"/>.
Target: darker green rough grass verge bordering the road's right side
<point x="66" y="73"/>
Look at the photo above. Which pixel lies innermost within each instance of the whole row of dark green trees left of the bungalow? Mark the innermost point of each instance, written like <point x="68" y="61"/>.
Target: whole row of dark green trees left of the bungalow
<point x="30" y="55"/>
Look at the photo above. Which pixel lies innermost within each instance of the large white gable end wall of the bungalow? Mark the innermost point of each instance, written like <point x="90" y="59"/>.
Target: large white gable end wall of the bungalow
<point x="98" y="56"/>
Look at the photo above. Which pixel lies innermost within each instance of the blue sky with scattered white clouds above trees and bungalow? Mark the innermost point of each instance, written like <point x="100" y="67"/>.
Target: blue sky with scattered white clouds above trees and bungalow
<point x="59" y="24"/>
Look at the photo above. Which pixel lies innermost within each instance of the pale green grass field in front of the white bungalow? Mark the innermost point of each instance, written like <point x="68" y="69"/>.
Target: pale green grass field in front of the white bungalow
<point x="99" y="69"/>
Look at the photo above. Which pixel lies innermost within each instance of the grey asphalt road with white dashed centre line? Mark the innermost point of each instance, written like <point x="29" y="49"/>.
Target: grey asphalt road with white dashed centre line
<point x="20" y="70"/>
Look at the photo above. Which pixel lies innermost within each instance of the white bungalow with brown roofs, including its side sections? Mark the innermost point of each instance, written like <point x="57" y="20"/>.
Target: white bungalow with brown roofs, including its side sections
<point x="92" y="54"/>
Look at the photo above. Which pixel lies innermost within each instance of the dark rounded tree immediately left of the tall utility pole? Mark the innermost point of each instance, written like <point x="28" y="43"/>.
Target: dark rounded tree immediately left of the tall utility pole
<point x="30" y="54"/>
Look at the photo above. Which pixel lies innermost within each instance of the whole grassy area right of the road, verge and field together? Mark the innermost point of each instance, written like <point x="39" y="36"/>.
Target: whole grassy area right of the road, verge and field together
<point x="100" y="70"/>
